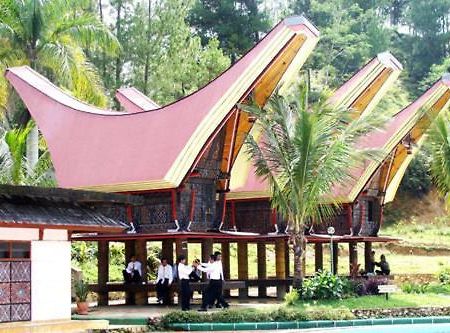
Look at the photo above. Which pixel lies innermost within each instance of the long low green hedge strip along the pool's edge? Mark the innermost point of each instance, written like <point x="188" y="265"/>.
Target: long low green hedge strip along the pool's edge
<point x="253" y="315"/>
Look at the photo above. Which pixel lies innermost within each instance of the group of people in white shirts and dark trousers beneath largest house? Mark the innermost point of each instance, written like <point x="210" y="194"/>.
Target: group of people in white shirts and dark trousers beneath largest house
<point x="185" y="274"/>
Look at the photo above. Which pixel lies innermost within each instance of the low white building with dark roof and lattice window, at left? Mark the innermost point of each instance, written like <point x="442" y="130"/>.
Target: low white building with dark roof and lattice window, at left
<point x="36" y="225"/>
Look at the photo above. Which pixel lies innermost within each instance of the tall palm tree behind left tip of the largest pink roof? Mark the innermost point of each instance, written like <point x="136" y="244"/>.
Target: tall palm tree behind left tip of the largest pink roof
<point x="53" y="37"/>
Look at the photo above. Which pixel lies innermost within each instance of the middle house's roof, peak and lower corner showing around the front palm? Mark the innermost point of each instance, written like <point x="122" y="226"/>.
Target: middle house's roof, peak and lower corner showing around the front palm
<point x="361" y="93"/>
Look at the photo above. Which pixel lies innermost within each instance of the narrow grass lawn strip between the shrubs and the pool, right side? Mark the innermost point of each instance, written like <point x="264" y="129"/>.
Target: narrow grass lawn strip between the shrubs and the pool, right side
<point x="379" y="302"/>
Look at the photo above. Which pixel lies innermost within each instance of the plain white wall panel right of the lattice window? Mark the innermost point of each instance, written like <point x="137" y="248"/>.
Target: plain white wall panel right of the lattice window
<point x="50" y="280"/>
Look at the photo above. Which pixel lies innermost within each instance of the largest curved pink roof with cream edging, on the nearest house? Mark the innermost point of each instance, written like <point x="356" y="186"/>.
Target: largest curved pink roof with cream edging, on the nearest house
<point x="109" y="151"/>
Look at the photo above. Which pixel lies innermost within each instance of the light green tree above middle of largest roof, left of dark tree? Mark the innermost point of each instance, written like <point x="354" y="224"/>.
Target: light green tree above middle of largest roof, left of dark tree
<point x="167" y="61"/>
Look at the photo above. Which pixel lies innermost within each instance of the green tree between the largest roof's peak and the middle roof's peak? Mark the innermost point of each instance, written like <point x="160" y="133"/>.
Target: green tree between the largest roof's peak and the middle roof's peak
<point x="351" y="33"/>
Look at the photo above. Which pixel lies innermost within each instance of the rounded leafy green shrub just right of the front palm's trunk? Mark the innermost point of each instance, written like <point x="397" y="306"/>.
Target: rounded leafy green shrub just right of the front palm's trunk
<point x="324" y="285"/>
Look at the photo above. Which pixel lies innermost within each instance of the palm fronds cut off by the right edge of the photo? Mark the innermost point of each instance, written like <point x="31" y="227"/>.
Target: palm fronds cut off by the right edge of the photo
<point x="440" y="151"/>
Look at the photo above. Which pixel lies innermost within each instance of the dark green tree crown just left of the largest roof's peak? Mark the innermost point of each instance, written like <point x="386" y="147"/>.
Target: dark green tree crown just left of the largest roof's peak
<point x="237" y="25"/>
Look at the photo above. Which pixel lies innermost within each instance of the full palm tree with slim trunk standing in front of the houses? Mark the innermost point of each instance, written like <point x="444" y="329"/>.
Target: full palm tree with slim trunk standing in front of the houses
<point x="305" y="151"/>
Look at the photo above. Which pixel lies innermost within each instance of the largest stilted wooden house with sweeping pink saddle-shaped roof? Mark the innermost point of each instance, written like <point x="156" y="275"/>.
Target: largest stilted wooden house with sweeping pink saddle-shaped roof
<point x="178" y="157"/>
